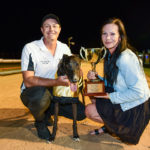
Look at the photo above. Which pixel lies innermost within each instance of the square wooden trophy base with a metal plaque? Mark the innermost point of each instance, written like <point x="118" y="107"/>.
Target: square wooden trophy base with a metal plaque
<point x="94" y="88"/>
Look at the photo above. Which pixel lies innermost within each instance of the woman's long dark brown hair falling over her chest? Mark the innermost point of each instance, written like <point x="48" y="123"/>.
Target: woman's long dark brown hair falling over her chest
<point x="110" y="68"/>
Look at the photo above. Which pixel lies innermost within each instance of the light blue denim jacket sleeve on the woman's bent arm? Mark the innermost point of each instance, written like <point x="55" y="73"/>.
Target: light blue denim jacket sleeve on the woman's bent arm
<point x="132" y="74"/>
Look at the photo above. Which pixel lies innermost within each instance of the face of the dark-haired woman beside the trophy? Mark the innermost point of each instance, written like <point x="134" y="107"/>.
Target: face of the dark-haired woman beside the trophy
<point x="110" y="37"/>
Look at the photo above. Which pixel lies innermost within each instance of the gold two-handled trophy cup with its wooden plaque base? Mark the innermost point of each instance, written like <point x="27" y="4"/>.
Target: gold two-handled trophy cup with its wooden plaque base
<point x="93" y="55"/>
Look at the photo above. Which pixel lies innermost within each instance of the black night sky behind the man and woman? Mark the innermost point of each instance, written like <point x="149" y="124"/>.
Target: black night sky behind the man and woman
<point x="20" y="22"/>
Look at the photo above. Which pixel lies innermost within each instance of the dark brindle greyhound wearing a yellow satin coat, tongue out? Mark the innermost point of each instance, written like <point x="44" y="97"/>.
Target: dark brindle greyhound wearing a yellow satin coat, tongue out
<point x="70" y="66"/>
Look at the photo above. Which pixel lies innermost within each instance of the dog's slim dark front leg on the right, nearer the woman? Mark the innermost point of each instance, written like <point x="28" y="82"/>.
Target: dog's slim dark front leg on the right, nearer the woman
<point x="75" y="132"/>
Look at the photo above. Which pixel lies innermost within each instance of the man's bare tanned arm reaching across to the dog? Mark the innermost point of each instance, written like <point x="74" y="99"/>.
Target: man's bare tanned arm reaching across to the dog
<point x="30" y="80"/>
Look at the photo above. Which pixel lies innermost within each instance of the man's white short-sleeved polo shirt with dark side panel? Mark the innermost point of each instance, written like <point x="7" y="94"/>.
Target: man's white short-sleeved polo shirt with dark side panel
<point x="36" y="57"/>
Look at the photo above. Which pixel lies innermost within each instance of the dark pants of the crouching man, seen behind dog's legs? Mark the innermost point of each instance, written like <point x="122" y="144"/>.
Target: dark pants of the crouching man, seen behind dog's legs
<point x="38" y="101"/>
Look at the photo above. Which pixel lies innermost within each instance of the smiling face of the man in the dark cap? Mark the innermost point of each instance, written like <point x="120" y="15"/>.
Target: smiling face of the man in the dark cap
<point x="50" y="29"/>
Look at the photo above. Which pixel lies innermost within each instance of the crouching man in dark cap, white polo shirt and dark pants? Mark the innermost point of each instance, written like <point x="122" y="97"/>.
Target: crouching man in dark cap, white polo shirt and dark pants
<point x="39" y="64"/>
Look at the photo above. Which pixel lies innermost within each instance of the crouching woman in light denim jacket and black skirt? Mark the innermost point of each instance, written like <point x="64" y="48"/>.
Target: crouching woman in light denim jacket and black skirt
<point x="124" y="110"/>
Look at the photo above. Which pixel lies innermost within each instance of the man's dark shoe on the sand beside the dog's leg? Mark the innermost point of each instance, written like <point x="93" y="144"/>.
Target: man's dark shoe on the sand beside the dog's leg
<point x="42" y="130"/>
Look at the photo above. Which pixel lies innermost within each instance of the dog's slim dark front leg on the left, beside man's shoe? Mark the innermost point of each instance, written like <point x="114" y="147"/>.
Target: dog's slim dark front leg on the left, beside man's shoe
<point x="55" y="121"/>
